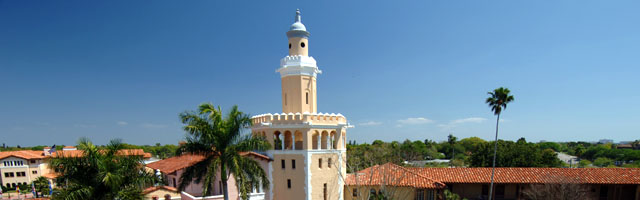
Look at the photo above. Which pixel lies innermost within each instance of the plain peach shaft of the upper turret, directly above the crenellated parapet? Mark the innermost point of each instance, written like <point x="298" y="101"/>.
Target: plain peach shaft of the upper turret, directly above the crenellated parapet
<point x="294" y="89"/>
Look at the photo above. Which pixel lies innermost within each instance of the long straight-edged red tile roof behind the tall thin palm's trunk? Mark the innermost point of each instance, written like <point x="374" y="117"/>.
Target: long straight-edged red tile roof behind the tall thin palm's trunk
<point x="533" y="175"/>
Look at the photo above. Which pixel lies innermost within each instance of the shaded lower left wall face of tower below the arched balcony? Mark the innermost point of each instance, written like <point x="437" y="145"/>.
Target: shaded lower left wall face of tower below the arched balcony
<point x="280" y="176"/>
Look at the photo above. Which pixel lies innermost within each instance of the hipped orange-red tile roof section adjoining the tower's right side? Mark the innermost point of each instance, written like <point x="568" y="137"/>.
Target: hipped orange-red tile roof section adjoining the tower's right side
<point x="392" y="175"/>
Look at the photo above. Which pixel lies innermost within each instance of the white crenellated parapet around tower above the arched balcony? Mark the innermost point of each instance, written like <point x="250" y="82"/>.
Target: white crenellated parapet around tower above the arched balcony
<point x="299" y="118"/>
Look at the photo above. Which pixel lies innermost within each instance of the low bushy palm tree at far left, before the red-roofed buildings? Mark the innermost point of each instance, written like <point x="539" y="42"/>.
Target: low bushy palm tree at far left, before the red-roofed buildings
<point x="100" y="173"/>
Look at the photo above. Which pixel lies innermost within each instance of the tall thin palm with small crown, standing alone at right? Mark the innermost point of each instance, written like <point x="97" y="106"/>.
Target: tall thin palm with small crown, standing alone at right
<point x="498" y="101"/>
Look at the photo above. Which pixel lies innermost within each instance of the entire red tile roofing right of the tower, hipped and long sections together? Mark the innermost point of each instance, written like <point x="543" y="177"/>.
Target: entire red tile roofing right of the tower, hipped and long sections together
<point x="505" y="175"/>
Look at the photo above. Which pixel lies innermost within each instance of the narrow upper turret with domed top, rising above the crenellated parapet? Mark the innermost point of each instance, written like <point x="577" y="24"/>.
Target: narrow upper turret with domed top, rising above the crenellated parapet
<point x="298" y="72"/>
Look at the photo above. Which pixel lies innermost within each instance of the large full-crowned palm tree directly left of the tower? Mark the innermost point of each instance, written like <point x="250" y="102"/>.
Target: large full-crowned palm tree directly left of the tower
<point x="221" y="142"/>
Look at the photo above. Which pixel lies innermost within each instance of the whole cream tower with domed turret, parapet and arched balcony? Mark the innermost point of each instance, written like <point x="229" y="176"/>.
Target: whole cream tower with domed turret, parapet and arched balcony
<point x="309" y="152"/>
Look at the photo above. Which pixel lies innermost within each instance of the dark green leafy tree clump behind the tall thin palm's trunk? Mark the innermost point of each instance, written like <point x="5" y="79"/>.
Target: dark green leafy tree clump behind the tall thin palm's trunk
<point x="514" y="154"/>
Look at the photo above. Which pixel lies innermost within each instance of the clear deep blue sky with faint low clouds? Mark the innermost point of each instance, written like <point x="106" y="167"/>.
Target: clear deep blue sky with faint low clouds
<point x="397" y="70"/>
